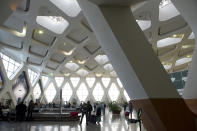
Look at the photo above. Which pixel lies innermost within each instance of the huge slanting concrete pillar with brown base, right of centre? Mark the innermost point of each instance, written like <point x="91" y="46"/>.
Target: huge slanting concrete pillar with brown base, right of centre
<point x="138" y="67"/>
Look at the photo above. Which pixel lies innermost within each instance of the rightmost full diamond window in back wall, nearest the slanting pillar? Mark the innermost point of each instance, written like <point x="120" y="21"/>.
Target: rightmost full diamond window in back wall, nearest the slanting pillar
<point x="113" y="92"/>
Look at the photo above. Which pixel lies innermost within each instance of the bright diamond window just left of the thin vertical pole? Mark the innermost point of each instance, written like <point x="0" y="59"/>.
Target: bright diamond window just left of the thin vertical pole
<point x="50" y="92"/>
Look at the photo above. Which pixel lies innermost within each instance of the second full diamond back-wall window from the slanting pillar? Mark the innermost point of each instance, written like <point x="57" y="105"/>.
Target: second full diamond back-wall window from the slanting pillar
<point x="98" y="92"/>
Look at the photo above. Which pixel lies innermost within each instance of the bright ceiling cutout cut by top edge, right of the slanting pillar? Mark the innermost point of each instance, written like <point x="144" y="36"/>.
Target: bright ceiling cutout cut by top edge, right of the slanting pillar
<point x="167" y="10"/>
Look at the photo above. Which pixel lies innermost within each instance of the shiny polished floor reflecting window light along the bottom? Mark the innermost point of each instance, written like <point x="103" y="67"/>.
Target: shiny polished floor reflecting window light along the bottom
<point x="109" y="123"/>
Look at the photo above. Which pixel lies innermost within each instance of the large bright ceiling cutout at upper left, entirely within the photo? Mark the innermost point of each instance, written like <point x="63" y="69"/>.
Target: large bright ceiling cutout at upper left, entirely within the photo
<point x="56" y="24"/>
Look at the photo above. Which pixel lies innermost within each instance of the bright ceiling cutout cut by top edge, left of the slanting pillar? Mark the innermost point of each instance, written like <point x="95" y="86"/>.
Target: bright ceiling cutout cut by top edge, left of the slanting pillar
<point x="70" y="7"/>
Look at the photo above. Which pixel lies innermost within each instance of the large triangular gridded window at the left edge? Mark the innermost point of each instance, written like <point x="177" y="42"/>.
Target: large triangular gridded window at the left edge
<point x="10" y="65"/>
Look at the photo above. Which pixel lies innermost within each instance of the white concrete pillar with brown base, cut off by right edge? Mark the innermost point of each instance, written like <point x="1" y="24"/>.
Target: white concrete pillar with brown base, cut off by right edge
<point x="188" y="10"/>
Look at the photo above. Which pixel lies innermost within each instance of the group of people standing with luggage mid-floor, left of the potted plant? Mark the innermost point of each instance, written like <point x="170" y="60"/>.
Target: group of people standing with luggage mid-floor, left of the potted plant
<point x="92" y="116"/>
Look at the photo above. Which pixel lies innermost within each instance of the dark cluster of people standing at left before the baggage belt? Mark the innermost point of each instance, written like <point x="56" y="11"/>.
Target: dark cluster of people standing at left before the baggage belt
<point x="21" y="110"/>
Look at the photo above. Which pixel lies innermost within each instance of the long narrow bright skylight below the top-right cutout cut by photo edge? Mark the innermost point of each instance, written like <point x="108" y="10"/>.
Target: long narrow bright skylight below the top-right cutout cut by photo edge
<point x="168" y="41"/>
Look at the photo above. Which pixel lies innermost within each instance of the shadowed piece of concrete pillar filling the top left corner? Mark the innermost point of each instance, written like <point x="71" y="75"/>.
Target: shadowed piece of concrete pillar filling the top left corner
<point x="6" y="8"/>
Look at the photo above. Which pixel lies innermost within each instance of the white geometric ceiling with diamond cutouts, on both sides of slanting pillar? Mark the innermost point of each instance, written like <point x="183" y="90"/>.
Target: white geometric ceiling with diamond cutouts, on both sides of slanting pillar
<point x="58" y="41"/>
